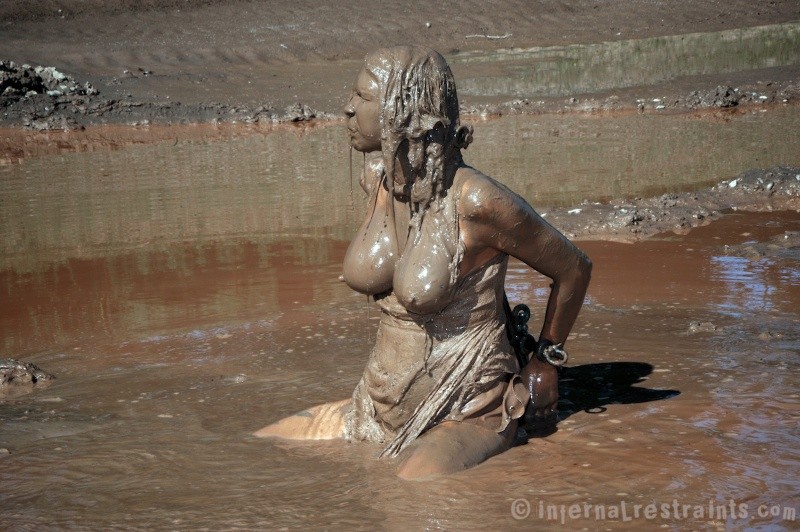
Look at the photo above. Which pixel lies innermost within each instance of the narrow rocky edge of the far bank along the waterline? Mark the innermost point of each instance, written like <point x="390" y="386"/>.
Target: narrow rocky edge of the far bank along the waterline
<point x="42" y="98"/>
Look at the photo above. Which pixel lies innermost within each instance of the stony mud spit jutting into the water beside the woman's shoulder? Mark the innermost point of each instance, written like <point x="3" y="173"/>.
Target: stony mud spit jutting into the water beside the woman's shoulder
<point x="772" y="189"/>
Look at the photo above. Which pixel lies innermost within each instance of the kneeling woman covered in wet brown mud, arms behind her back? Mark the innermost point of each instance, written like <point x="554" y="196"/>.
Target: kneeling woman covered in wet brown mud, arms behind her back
<point x="443" y="389"/>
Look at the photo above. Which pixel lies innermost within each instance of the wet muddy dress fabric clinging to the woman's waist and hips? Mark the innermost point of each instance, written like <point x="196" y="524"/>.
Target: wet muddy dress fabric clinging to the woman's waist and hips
<point x="423" y="371"/>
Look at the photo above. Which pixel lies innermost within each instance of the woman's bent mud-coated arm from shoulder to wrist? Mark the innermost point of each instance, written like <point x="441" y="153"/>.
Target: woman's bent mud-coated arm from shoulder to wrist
<point x="494" y="219"/>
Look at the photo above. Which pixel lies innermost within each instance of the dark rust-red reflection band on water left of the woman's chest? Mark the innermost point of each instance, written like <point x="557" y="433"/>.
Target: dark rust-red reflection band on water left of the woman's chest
<point x="134" y="292"/>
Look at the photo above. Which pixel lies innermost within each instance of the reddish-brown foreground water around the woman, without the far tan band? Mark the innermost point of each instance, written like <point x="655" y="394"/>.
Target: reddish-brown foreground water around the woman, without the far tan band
<point x="149" y="420"/>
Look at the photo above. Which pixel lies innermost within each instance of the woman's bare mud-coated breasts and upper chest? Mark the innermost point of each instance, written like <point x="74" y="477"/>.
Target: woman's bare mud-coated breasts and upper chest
<point x="415" y="255"/>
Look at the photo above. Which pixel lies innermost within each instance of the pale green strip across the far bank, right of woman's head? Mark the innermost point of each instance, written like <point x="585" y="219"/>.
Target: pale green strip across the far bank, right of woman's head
<point x="575" y="69"/>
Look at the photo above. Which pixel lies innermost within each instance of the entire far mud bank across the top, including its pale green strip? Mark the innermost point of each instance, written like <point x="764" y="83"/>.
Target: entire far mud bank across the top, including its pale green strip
<point x="166" y="61"/>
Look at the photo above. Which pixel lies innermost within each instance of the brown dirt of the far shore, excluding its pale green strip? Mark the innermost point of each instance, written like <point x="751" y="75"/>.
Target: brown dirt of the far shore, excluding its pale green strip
<point x="171" y="61"/>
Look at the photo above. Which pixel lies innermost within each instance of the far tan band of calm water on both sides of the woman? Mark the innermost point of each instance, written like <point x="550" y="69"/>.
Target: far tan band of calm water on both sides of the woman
<point x="294" y="182"/>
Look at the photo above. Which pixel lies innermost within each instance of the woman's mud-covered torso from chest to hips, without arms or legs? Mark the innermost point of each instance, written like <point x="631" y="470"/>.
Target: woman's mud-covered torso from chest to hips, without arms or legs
<point x="441" y="352"/>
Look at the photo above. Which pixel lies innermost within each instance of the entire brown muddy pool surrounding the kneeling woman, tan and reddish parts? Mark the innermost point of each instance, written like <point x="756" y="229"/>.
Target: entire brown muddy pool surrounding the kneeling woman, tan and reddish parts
<point x="182" y="285"/>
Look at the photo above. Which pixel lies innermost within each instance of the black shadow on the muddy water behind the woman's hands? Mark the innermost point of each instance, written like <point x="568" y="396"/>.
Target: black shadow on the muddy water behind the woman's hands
<point x="590" y="388"/>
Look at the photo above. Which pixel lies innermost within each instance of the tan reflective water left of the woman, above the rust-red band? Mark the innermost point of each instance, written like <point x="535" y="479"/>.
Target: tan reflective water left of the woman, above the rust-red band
<point x="154" y="195"/>
